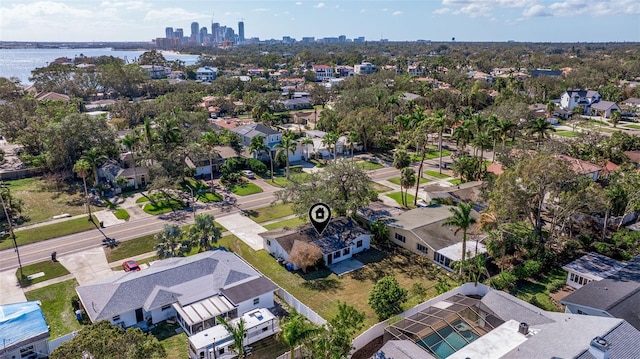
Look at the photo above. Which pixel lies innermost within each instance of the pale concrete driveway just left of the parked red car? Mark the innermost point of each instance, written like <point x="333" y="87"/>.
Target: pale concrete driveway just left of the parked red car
<point x="87" y="266"/>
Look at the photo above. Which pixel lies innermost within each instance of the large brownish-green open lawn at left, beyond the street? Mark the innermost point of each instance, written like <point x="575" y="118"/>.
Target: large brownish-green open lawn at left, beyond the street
<point x="34" y="192"/>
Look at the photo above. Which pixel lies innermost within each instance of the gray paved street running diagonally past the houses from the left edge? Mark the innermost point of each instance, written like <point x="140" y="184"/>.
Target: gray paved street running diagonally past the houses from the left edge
<point x="41" y="251"/>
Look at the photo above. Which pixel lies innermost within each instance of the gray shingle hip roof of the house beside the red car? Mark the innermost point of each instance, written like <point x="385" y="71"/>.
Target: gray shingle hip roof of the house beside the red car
<point x="184" y="280"/>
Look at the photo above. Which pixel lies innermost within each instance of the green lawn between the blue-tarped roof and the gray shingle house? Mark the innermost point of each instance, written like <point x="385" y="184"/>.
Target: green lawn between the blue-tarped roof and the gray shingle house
<point x="56" y="306"/>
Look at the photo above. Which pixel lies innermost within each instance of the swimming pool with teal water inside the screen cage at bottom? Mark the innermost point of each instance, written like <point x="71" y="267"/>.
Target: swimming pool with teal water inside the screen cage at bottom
<point x="453" y="340"/>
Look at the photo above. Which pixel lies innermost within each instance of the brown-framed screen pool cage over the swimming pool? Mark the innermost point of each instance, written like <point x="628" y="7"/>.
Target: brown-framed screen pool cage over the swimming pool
<point x="446" y="327"/>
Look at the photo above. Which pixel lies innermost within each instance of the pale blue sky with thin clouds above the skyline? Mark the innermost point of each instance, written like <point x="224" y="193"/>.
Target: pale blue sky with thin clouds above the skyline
<point x="398" y="20"/>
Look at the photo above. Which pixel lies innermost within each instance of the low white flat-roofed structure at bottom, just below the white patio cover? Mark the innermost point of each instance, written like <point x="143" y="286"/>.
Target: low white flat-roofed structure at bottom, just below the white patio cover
<point x="218" y="342"/>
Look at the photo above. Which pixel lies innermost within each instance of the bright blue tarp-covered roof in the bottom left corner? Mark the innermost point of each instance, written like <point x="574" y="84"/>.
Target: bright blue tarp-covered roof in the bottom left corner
<point x="21" y="321"/>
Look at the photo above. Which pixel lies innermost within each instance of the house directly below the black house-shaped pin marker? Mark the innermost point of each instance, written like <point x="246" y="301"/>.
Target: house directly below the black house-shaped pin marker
<point x="342" y="238"/>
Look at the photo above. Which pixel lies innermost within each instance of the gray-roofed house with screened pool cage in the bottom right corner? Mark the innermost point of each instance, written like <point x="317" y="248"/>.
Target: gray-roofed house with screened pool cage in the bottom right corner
<point x="475" y="321"/>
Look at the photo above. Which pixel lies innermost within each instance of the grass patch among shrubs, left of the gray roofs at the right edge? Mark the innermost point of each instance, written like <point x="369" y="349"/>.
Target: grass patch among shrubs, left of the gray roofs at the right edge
<point x="539" y="289"/>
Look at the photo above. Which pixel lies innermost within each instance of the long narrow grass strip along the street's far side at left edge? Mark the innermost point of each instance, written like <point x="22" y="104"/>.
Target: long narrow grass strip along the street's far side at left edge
<point x="49" y="231"/>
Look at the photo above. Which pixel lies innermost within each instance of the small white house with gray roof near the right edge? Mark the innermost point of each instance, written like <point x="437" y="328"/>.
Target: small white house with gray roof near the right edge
<point x="590" y="267"/>
